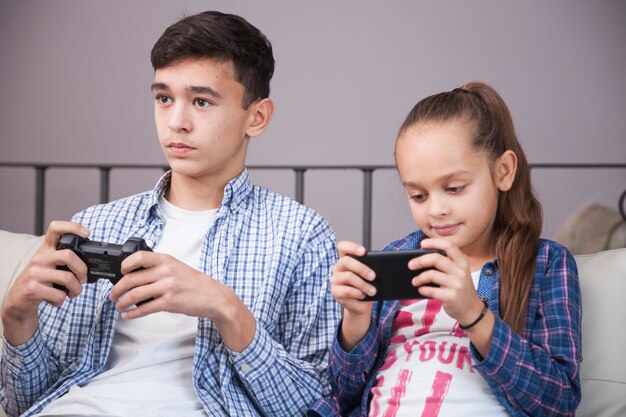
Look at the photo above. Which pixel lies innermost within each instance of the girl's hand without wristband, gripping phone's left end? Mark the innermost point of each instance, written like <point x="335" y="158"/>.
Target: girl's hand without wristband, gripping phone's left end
<point x="349" y="285"/>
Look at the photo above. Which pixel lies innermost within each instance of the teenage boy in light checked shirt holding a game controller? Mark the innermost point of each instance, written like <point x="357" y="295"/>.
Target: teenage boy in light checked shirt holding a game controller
<point x="239" y="315"/>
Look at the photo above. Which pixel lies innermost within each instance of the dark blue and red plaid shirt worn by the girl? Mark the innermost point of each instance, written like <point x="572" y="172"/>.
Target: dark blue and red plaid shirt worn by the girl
<point x="536" y="374"/>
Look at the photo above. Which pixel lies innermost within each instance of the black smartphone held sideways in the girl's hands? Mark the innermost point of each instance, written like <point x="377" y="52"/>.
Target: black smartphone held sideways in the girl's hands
<point x="393" y="276"/>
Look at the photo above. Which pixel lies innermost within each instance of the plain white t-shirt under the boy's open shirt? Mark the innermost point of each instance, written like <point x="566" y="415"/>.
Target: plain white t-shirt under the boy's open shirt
<point x="148" y="372"/>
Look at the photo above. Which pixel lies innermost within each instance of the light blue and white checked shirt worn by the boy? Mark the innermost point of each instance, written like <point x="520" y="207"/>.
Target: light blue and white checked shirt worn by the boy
<point x="274" y="253"/>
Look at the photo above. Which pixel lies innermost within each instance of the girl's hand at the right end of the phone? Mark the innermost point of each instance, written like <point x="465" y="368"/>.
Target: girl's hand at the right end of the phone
<point x="452" y="275"/>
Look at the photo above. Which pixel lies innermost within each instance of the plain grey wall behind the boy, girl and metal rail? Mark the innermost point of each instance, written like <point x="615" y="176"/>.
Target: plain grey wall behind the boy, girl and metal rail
<point x="76" y="75"/>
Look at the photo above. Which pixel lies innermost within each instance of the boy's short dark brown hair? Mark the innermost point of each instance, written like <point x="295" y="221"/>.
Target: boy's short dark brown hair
<point x="222" y="37"/>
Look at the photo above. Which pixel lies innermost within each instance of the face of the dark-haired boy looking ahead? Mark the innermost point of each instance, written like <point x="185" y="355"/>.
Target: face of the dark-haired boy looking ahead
<point x="200" y="121"/>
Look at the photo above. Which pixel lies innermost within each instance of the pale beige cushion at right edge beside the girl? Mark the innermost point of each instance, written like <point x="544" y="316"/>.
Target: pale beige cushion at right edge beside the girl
<point x="603" y="374"/>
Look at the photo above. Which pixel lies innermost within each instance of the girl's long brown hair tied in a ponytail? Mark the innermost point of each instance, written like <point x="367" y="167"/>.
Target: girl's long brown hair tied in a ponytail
<point x="519" y="219"/>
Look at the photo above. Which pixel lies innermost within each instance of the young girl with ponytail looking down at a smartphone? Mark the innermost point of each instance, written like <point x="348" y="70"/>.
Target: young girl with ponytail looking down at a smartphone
<point x="500" y="334"/>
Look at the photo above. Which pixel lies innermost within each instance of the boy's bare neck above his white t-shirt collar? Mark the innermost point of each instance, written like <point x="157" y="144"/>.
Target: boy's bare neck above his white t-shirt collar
<point x="195" y="194"/>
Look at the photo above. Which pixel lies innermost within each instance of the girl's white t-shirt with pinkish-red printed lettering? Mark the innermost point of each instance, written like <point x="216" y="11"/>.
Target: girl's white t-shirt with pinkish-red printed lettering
<point x="428" y="368"/>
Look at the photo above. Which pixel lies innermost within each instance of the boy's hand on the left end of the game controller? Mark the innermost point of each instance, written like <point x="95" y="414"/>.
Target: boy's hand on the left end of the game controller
<point x="35" y="284"/>
